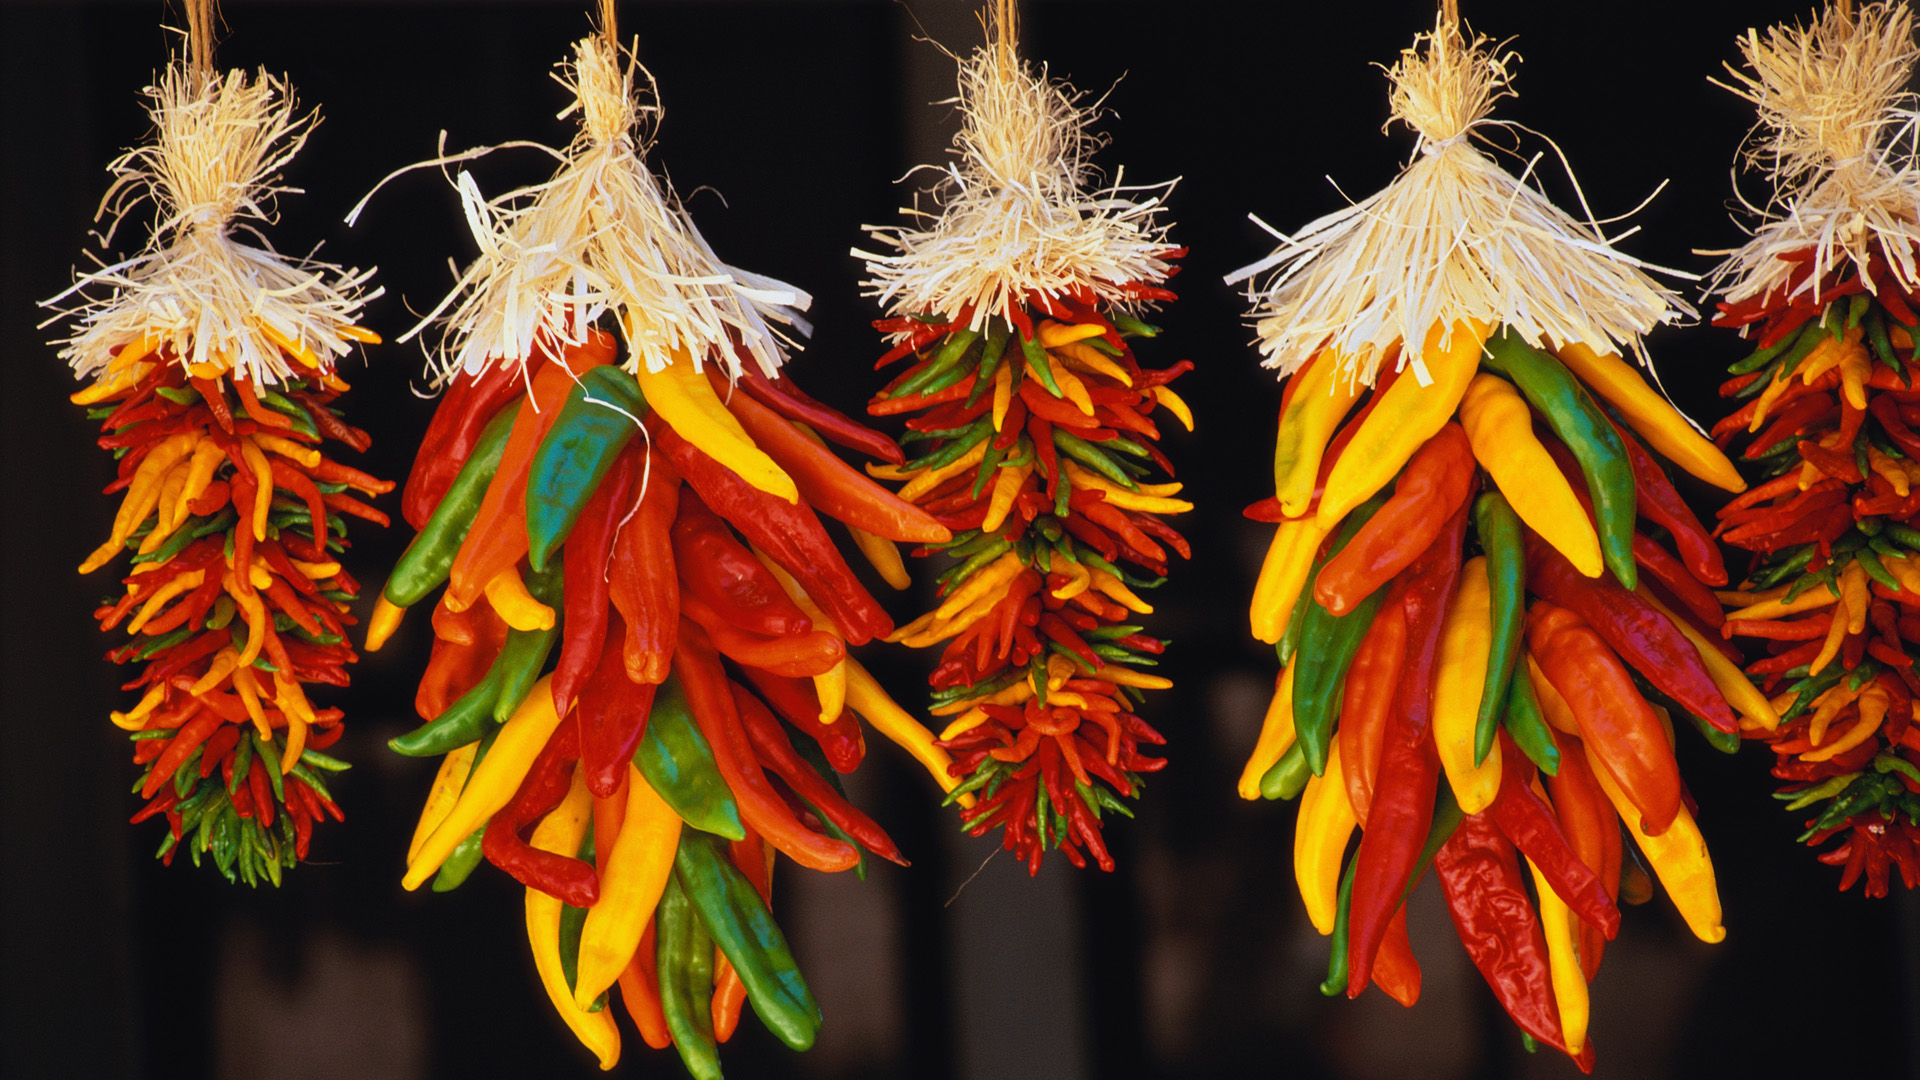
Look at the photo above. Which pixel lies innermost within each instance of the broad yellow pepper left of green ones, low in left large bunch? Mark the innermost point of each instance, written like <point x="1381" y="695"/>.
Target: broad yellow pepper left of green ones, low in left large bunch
<point x="633" y="879"/>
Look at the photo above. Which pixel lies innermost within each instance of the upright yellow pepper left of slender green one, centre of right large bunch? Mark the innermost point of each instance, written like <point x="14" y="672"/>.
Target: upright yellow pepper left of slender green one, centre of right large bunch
<point x="1460" y="675"/>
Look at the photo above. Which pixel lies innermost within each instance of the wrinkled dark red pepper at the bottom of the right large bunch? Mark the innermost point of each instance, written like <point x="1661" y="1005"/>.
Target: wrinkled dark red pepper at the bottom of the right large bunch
<point x="1495" y="920"/>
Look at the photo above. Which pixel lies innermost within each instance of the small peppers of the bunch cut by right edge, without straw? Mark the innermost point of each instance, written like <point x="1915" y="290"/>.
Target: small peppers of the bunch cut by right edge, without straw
<point x="1835" y="589"/>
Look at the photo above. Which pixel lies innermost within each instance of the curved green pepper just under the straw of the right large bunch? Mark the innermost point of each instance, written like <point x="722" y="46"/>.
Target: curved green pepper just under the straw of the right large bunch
<point x="1585" y="430"/>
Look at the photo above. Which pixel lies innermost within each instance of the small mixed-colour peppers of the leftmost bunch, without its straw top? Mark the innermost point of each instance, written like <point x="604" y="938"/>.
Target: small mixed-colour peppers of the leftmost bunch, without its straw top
<point x="235" y="601"/>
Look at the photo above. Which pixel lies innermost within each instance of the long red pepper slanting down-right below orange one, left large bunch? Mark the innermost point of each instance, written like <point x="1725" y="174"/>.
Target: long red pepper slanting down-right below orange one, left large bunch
<point x="788" y="533"/>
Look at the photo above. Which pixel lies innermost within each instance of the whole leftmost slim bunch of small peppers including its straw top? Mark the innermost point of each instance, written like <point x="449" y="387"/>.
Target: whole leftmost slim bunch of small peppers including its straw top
<point x="214" y="383"/>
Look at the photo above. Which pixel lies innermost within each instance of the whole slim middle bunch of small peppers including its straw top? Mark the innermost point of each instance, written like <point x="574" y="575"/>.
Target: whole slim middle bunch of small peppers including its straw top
<point x="1034" y="441"/>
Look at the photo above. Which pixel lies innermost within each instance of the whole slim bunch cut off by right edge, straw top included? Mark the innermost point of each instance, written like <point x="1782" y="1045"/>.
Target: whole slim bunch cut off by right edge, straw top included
<point x="1835" y="585"/>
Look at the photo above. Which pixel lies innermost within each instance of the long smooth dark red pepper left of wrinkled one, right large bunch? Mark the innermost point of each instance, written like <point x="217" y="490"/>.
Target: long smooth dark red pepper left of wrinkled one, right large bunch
<point x="1397" y="831"/>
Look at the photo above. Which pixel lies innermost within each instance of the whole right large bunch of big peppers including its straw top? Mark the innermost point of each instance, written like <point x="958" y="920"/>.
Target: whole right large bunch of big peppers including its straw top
<point x="1483" y="589"/>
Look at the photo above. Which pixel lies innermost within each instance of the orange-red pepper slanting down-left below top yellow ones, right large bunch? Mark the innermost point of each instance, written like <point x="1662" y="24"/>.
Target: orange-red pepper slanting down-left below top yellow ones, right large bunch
<point x="1431" y="489"/>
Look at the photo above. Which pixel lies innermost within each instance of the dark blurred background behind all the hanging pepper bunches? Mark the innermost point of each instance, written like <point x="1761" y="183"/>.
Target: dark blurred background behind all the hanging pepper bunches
<point x="794" y="122"/>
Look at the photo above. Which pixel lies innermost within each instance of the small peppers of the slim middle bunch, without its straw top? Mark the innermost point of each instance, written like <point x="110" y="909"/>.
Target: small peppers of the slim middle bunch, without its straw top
<point x="1038" y="439"/>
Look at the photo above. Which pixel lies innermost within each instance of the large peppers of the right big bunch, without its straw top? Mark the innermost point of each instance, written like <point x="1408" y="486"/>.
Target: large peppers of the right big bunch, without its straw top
<point x="1527" y="674"/>
